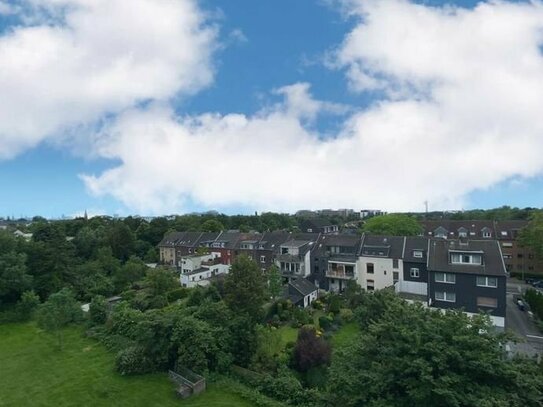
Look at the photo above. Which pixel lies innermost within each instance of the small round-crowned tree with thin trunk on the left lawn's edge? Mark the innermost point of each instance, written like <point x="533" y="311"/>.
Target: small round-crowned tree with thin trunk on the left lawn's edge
<point x="57" y="312"/>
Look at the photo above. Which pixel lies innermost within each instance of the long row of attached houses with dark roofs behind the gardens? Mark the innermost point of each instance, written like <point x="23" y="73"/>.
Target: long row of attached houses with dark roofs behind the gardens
<point x="456" y="272"/>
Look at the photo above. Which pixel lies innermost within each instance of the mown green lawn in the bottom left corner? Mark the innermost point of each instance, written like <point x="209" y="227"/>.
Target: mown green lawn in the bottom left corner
<point x="33" y="372"/>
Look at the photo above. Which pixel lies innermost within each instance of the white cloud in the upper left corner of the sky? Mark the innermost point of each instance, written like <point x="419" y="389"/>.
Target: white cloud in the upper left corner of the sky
<point x="76" y="60"/>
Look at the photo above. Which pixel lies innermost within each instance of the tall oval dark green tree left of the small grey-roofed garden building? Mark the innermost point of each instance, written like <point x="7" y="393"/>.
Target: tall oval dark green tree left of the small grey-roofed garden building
<point x="245" y="288"/>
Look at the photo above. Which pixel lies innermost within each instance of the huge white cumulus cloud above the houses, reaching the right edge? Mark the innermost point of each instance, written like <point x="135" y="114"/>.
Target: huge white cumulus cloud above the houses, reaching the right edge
<point x="462" y="110"/>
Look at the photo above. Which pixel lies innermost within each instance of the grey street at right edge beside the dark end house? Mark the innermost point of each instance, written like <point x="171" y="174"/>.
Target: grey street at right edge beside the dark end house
<point x="521" y="324"/>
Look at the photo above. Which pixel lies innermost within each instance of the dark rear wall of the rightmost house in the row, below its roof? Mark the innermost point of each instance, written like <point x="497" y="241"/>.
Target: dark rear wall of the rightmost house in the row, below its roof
<point x="467" y="292"/>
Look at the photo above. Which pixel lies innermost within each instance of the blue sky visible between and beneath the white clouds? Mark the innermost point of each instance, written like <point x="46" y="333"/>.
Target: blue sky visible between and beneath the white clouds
<point x="261" y="46"/>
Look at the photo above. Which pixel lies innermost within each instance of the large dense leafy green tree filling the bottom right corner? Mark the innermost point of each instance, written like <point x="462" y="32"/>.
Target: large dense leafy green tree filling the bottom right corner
<point x="413" y="356"/>
